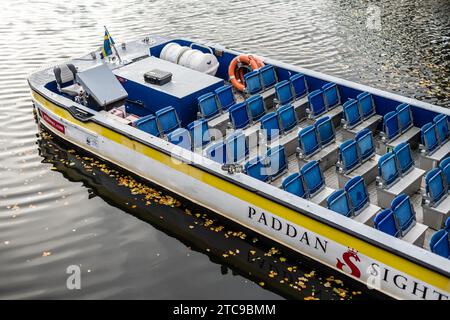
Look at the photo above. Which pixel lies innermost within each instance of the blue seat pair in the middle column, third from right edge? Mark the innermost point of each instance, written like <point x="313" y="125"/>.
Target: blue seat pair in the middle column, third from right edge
<point x="354" y="152"/>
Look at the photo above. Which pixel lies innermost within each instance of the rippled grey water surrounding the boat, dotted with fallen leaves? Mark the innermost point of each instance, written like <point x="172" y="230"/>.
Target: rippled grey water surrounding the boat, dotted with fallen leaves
<point x="59" y="207"/>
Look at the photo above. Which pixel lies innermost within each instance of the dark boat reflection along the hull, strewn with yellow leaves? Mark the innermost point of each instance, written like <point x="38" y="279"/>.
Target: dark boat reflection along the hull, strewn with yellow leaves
<point x="236" y="249"/>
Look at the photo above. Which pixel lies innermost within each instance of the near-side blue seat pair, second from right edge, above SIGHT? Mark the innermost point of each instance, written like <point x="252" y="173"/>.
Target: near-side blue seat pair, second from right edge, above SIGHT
<point x="398" y="219"/>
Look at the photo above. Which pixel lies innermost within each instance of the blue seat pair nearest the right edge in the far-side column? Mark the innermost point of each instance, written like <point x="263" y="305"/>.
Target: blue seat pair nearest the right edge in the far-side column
<point x="436" y="133"/>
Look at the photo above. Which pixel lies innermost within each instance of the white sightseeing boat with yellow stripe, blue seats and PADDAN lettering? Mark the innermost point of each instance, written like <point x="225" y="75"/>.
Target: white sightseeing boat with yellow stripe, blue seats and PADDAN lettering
<point x="353" y="177"/>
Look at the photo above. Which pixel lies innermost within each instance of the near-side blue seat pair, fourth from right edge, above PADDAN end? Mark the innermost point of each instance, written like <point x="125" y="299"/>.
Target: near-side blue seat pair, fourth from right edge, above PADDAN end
<point x="305" y="183"/>
